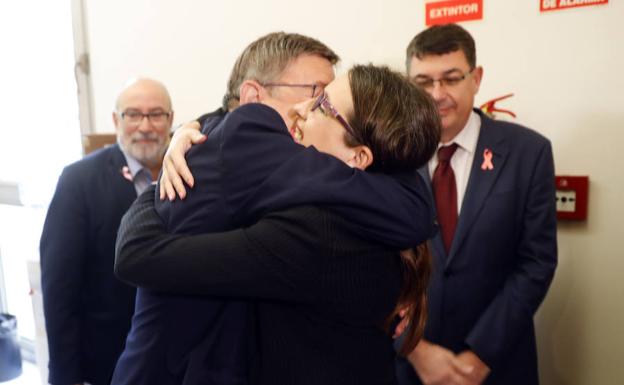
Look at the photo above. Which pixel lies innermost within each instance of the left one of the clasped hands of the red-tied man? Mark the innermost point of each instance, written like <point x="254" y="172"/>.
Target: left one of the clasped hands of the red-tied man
<point x="436" y="365"/>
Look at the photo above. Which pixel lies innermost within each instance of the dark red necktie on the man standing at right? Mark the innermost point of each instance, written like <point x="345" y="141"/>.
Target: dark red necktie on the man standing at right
<point x="445" y="193"/>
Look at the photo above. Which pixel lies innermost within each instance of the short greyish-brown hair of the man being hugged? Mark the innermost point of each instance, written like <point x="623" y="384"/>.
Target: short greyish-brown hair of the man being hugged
<point x="266" y="58"/>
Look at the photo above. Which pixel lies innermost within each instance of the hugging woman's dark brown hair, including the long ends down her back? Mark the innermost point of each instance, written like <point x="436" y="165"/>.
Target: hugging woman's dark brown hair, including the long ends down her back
<point x="400" y="124"/>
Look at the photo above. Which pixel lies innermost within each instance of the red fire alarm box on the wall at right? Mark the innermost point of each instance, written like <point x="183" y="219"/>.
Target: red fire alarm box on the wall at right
<point x="571" y="195"/>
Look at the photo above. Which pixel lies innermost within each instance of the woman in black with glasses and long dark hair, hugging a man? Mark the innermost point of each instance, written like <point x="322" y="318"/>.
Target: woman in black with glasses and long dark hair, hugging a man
<point x="325" y="294"/>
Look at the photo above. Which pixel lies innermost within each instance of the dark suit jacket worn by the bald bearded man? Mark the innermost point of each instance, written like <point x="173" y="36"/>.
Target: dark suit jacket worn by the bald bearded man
<point x="87" y="309"/>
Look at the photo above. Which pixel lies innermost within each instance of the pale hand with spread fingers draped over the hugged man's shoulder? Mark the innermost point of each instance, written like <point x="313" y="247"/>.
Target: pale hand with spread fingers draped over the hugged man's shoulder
<point x="174" y="168"/>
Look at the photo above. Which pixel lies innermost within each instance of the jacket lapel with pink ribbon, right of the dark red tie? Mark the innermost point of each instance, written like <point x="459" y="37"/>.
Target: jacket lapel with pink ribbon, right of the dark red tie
<point x="480" y="182"/>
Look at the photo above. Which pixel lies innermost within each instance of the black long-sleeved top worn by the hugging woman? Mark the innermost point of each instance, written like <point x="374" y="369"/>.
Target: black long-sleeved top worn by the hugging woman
<point x="323" y="291"/>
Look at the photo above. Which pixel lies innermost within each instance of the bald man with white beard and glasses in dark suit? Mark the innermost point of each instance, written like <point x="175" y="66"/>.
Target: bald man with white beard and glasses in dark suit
<point x="87" y="309"/>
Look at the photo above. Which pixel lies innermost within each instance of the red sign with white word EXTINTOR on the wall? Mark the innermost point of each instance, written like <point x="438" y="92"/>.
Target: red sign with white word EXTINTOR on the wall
<point x="444" y="12"/>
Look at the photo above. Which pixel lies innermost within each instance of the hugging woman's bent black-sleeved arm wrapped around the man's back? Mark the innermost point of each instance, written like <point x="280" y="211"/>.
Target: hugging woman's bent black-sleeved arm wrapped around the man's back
<point x="273" y="259"/>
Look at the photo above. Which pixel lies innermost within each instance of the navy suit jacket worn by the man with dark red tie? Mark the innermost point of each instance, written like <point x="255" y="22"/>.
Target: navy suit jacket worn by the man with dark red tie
<point x="484" y="293"/>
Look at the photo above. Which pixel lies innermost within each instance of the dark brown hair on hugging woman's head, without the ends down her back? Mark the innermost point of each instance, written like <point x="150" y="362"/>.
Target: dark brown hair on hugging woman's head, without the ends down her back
<point x="398" y="121"/>
